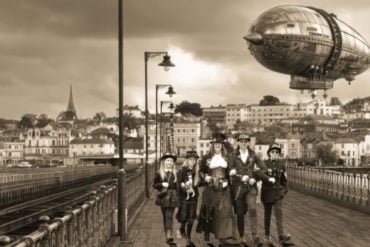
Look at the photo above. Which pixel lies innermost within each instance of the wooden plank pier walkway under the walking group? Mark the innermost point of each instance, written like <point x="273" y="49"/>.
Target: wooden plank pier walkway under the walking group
<point x="310" y="221"/>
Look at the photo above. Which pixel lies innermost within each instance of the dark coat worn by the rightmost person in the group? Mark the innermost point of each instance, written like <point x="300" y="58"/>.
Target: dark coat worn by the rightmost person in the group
<point x="271" y="193"/>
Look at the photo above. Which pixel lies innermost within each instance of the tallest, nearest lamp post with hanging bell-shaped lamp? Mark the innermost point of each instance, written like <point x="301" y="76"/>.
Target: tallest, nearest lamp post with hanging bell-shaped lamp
<point x="166" y="63"/>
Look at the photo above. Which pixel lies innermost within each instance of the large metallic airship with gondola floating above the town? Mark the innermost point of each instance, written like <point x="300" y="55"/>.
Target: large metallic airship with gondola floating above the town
<point x="311" y="45"/>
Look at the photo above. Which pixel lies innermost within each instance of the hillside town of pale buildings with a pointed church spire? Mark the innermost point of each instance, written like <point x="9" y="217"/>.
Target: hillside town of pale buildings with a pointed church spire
<point x="312" y="133"/>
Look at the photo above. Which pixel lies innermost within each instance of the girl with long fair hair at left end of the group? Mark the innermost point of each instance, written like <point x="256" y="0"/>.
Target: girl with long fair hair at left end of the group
<point x="165" y="181"/>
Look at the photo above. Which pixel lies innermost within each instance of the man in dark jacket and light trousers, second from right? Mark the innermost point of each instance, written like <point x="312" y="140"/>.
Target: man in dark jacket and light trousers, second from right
<point x="246" y="168"/>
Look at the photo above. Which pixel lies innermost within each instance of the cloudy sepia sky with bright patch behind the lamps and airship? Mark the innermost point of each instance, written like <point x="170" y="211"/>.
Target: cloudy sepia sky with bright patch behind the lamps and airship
<point x="48" y="45"/>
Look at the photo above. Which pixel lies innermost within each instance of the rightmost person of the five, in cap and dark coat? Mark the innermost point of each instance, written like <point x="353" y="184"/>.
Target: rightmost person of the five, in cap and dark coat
<point x="272" y="194"/>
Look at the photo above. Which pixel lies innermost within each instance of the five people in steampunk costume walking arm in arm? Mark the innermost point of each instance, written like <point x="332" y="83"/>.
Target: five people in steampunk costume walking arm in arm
<point x="233" y="182"/>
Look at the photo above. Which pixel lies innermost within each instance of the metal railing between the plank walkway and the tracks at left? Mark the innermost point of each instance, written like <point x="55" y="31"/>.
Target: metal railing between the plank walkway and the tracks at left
<point x="88" y="225"/>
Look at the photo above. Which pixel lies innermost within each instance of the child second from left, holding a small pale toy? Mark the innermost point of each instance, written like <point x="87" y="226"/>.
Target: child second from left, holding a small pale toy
<point x="188" y="177"/>
